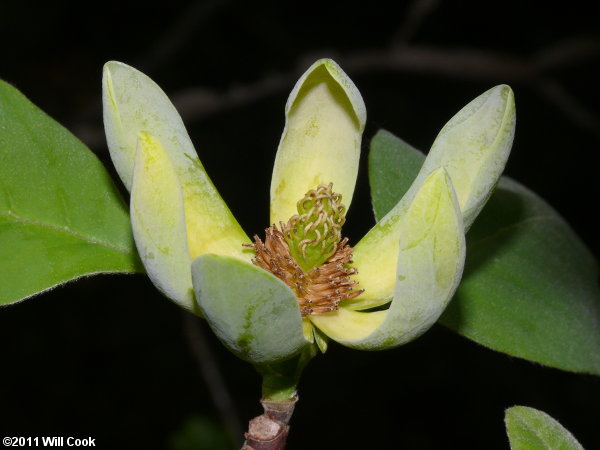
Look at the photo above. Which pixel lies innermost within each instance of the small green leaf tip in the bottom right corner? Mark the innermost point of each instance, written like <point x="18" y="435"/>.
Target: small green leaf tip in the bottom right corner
<point x="530" y="429"/>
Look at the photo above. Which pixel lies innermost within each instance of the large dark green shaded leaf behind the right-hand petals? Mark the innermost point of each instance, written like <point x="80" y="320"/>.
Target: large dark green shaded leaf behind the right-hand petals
<point x="530" y="285"/>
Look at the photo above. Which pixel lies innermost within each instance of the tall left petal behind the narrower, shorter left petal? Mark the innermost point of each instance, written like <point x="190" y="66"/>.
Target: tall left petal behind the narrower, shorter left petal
<point x="134" y="103"/>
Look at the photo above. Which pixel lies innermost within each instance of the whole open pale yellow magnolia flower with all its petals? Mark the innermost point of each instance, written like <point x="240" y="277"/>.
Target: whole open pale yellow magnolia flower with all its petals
<point x="269" y="298"/>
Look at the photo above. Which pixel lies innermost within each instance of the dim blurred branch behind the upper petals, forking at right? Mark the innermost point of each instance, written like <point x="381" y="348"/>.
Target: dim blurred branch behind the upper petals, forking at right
<point x="198" y="103"/>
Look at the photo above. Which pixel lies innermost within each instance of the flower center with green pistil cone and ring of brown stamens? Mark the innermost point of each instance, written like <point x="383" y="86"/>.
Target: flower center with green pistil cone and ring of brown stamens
<point x="309" y="254"/>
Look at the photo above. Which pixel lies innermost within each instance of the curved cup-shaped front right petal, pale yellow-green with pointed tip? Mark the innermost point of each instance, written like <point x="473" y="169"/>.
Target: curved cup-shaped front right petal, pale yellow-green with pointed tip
<point x="429" y="266"/>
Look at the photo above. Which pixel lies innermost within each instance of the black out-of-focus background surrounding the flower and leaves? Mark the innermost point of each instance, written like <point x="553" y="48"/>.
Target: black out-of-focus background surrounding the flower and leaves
<point x="108" y="357"/>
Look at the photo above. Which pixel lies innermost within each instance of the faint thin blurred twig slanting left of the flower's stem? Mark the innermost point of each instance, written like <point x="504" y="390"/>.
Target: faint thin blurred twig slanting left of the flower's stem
<point x="212" y="376"/>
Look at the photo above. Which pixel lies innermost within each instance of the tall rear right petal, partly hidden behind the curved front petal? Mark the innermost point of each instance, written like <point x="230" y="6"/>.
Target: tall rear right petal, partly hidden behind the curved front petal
<point x="473" y="147"/>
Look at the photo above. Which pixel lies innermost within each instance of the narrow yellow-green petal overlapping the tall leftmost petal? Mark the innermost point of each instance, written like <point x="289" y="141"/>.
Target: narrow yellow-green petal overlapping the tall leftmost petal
<point x="158" y="222"/>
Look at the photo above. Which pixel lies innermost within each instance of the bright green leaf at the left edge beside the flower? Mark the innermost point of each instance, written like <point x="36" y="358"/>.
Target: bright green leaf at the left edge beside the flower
<point x="61" y="216"/>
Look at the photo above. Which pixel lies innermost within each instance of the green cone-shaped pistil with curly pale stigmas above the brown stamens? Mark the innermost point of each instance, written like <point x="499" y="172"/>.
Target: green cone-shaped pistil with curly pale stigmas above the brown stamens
<point x="313" y="235"/>
